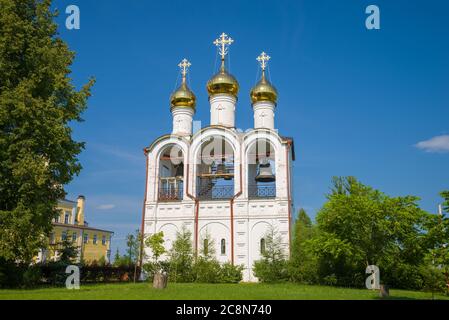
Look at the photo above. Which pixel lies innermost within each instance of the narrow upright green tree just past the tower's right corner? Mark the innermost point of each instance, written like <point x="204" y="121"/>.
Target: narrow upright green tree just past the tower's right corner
<point x="302" y="264"/>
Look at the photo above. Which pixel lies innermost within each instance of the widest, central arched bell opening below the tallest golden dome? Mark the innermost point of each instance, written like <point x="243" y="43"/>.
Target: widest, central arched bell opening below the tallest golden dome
<point x="215" y="169"/>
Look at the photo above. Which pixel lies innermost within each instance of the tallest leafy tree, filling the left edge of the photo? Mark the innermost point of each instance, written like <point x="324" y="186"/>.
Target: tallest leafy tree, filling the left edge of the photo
<point x="37" y="104"/>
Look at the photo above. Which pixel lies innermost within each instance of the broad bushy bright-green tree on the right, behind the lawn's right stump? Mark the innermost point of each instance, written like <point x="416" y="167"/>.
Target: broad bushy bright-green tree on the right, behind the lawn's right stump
<point x="360" y="226"/>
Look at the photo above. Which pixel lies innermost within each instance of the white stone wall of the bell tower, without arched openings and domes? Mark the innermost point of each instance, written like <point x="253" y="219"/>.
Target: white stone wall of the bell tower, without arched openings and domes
<point x="252" y="218"/>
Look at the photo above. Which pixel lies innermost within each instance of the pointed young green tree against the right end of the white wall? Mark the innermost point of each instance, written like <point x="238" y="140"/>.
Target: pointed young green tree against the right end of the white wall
<point x="273" y="266"/>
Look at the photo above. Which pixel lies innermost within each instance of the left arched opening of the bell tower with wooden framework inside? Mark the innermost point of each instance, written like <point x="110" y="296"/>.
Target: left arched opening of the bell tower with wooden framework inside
<point x="171" y="174"/>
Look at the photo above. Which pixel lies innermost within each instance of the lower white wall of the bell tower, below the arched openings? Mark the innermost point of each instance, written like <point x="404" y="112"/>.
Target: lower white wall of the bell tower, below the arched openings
<point x="252" y="220"/>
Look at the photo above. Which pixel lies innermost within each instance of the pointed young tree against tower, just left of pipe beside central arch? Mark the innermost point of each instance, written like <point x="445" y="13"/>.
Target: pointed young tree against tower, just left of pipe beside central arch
<point x="181" y="257"/>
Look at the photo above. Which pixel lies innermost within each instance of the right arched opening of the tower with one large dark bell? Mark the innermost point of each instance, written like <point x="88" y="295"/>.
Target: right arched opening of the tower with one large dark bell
<point x="261" y="170"/>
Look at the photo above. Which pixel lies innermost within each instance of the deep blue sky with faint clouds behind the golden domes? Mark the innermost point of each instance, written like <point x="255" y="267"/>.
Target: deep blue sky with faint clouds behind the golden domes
<point x="356" y="102"/>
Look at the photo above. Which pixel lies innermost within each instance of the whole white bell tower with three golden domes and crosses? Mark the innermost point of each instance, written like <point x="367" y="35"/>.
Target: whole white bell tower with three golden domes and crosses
<point x="228" y="187"/>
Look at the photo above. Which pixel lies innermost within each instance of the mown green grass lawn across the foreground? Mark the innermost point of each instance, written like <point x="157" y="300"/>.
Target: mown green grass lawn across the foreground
<point x="189" y="291"/>
